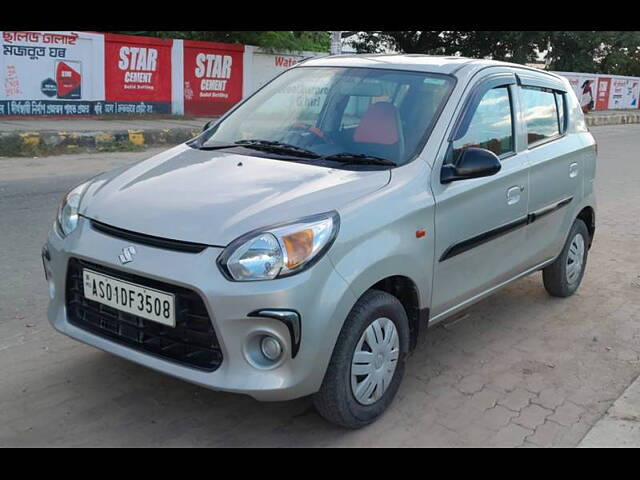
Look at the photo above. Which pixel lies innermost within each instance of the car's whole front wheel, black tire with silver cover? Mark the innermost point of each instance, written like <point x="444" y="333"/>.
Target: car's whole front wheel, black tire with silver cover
<point x="368" y="362"/>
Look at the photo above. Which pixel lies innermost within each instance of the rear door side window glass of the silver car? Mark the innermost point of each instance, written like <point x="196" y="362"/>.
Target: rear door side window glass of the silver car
<point x="540" y="114"/>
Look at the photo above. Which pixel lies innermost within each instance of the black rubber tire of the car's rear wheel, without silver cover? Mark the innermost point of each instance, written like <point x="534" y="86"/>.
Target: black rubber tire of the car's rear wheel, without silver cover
<point x="554" y="275"/>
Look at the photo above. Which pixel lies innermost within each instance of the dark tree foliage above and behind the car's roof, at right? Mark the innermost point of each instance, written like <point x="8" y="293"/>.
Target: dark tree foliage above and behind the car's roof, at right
<point x="579" y="51"/>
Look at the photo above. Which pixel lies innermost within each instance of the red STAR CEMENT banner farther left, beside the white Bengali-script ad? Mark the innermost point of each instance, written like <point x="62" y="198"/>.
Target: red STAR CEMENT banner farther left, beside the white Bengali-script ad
<point x="137" y="68"/>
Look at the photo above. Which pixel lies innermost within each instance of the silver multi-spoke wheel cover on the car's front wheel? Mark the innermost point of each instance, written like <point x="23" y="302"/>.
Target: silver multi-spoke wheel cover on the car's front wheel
<point x="374" y="361"/>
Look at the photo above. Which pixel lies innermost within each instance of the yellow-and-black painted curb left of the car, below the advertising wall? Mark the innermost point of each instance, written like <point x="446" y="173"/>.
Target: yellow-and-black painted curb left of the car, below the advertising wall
<point x="31" y="143"/>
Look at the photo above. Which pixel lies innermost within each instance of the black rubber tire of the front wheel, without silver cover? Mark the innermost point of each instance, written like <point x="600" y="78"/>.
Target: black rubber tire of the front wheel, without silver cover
<point x="335" y="401"/>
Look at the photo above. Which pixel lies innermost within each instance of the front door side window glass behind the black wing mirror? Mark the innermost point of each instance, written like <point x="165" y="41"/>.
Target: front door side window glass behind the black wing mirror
<point x="490" y="127"/>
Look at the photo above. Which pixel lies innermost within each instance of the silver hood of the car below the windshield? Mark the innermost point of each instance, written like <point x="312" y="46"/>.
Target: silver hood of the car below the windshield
<point x="213" y="197"/>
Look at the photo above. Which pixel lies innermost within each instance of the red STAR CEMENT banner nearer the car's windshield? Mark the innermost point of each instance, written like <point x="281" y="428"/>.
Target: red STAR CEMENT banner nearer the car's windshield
<point x="212" y="77"/>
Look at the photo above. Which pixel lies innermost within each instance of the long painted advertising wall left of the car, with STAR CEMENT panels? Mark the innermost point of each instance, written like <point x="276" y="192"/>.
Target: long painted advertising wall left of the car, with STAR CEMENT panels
<point x="68" y="73"/>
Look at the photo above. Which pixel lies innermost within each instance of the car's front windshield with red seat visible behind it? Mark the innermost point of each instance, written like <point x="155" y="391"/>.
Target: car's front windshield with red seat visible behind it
<point x="339" y="113"/>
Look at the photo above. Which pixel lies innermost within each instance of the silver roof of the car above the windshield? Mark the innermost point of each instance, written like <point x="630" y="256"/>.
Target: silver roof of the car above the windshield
<point x="448" y="65"/>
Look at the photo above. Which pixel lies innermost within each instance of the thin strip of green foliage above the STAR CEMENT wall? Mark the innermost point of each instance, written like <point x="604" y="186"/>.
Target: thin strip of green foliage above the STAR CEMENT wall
<point x="269" y="40"/>
